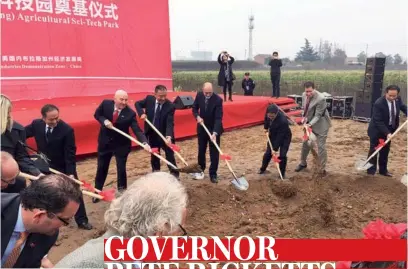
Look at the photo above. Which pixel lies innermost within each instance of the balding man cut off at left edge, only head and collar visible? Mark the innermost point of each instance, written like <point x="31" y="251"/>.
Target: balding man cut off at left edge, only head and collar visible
<point x="9" y="172"/>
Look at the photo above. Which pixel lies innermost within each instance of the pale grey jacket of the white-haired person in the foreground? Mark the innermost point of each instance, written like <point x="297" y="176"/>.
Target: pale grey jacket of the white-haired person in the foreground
<point x="89" y="255"/>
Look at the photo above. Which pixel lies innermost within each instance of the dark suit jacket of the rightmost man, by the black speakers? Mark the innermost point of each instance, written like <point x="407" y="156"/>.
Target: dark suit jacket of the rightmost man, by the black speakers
<point x="378" y="126"/>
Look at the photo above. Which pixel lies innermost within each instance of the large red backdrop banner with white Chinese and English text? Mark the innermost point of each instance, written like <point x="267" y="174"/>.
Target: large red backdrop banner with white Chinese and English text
<point x="65" y="48"/>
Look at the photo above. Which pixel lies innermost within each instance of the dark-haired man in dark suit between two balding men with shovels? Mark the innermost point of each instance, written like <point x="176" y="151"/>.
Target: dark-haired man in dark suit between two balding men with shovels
<point x="160" y="112"/>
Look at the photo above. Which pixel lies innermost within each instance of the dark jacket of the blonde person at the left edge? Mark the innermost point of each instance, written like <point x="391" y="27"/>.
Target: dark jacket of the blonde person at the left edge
<point x="10" y="142"/>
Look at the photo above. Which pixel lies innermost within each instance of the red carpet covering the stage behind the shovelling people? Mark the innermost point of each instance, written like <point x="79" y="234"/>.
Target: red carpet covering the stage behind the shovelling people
<point x="78" y="112"/>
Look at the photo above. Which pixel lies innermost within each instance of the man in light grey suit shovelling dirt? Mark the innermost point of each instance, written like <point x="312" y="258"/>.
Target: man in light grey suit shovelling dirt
<point x="316" y="117"/>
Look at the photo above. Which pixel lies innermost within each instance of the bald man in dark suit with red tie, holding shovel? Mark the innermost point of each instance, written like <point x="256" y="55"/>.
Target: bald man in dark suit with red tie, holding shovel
<point x="115" y="113"/>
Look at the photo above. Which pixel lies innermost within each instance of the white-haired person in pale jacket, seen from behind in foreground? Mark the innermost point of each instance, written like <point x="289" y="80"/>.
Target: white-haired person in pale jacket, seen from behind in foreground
<point x="154" y="205"/>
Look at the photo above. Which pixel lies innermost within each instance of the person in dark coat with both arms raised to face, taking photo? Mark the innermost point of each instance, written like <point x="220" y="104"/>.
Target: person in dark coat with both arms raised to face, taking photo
<point x="225" y="75"/>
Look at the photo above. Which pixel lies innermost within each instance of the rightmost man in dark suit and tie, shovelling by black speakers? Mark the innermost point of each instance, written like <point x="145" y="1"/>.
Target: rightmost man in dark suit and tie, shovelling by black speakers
<point x="384" y="122"/>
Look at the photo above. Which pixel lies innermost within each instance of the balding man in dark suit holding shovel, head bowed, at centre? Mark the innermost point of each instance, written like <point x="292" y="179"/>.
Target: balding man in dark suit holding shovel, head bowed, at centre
<point x="207" y="108"/>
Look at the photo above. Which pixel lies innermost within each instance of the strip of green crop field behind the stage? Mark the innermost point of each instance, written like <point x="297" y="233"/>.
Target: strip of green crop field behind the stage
<point x="334" y="82"/>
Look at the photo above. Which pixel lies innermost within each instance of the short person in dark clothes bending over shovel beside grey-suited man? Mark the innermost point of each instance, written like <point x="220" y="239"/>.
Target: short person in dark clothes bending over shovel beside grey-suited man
<point x="277" y="126"/>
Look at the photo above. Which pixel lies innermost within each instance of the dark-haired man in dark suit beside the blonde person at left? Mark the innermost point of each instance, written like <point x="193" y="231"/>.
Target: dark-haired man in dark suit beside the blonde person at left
<point x="56" y="139"/>
